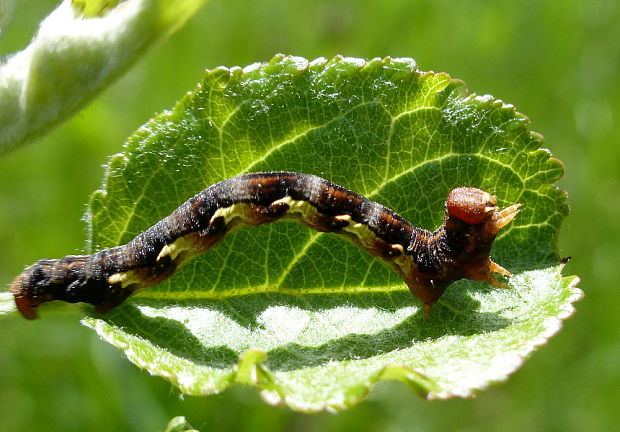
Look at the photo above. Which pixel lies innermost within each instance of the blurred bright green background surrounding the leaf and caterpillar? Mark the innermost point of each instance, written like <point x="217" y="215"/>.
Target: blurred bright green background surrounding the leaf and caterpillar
<point x="556" y="61"/>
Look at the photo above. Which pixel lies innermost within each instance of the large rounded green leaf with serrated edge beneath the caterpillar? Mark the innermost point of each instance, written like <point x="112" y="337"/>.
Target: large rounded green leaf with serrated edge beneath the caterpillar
<point x="306" y="317"/>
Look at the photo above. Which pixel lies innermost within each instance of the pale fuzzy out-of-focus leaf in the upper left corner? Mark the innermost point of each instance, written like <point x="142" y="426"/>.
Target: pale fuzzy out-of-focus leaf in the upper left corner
<point x="74" y="56"/>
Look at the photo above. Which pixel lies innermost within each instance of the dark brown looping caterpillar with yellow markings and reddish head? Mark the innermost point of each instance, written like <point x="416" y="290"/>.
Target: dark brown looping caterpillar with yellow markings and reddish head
<point x="427" y="261"/>
